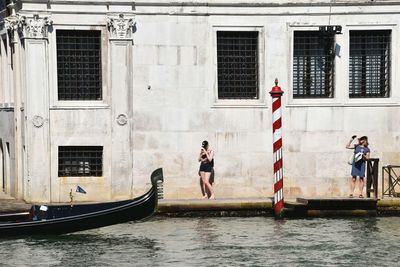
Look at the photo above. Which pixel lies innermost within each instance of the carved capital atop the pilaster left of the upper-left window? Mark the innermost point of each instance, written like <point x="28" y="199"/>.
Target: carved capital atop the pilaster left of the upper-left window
<point x="36" y="27"/>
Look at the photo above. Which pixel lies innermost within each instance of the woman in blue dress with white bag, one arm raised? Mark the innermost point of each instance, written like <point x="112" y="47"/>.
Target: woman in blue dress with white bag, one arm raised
<point x="361" y="153"/>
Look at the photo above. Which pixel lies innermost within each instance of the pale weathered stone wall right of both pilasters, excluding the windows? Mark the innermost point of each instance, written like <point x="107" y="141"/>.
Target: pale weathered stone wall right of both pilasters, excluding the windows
<point x="180" y="110"/>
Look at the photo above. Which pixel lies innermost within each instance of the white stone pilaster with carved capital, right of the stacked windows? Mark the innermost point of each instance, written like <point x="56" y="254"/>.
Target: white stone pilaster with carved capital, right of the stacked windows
<point x="121" y="28"/>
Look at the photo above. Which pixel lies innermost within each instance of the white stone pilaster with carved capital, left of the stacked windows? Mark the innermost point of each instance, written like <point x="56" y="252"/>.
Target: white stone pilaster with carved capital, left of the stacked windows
<point x="34" y="31"/>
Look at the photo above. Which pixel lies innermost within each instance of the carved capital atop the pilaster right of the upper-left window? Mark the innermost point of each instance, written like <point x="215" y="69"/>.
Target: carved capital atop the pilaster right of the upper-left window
<point x="120" y="27"/>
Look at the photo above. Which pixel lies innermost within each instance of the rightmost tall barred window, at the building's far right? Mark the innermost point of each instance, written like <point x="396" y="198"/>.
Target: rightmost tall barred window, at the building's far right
<point x="369" y="70"/>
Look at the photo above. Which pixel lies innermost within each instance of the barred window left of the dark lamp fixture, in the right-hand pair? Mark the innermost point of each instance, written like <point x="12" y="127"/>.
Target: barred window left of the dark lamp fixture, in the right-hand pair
<point x="313" y="64"/>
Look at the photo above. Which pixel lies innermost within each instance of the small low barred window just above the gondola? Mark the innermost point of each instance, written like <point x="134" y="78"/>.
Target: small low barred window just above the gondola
<point x="80" y="161"/>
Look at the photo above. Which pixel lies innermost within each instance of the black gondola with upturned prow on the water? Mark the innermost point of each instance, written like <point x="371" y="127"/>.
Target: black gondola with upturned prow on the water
<point x="61" y="219"/>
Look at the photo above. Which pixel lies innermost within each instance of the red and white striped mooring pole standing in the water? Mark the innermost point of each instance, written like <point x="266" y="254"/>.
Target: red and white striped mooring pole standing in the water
<point x="276" y="94"/>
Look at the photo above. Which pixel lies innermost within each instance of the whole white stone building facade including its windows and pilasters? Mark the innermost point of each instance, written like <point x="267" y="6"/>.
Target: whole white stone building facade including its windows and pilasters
<point x="100" y="93"/>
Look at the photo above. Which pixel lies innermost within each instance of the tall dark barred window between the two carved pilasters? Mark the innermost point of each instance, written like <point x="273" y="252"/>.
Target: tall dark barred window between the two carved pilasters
<point x="79" y="65"/>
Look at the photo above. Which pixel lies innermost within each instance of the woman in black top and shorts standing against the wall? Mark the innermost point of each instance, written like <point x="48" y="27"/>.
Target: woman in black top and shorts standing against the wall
<point x="206" y="159"/>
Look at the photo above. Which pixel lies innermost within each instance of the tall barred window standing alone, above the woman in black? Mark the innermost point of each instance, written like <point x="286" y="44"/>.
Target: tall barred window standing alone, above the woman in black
<point x="237" y="53"/>
